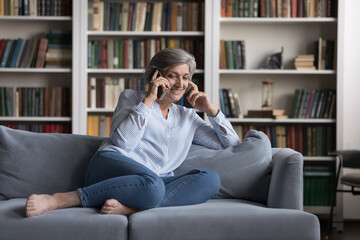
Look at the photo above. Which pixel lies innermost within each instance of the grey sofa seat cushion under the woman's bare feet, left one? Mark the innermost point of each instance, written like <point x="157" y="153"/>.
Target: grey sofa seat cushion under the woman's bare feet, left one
<point x="71" y="223"/>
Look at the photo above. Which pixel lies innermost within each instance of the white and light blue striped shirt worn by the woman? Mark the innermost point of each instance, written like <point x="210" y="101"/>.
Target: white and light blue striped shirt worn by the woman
<point x="160" y="144"/>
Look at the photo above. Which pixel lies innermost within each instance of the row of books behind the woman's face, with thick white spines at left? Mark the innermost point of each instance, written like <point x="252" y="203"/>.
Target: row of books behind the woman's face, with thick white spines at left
<point x="103" y="92"/>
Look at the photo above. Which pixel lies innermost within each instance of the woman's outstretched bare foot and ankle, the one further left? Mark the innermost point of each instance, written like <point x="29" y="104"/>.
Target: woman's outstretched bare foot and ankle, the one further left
<point x="38" y="204"/>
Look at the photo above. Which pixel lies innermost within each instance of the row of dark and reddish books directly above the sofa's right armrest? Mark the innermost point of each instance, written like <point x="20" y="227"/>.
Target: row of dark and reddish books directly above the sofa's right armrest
<point x="310" y="140"/>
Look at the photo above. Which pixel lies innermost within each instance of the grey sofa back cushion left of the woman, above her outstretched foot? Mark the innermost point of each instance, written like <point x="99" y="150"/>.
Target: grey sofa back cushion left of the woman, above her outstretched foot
<point x="42" y="163"/>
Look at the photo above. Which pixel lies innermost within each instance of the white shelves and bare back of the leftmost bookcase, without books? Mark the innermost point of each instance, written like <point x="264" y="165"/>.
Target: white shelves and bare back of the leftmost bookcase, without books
<point x="28" y="27"/>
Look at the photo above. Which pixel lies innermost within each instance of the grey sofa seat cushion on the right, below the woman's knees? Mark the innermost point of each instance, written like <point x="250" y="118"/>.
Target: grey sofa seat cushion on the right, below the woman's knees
<point x="223" y="219"/>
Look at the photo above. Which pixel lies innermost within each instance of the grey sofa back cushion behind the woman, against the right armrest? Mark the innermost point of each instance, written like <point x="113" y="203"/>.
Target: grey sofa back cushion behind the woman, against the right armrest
<point x="244" y="169"/>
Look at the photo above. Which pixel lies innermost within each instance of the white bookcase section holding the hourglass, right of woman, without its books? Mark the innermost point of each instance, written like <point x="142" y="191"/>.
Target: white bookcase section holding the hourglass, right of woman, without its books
<point x="264" y="36"/>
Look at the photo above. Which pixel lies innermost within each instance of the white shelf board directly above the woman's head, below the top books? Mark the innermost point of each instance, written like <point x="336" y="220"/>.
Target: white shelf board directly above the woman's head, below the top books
<point x="145" y="34"/>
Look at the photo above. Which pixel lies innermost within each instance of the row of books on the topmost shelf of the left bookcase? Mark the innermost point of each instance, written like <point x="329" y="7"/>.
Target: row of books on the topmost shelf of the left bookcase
<point x="35" y="8"/>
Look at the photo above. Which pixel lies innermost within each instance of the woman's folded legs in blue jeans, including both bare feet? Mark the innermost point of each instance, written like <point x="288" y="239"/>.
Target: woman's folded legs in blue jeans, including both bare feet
<point x="122" y="186"/>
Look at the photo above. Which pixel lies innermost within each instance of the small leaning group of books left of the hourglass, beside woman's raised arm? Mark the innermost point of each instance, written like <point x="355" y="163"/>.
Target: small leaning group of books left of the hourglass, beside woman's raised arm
<point x="230" y="103"/>
